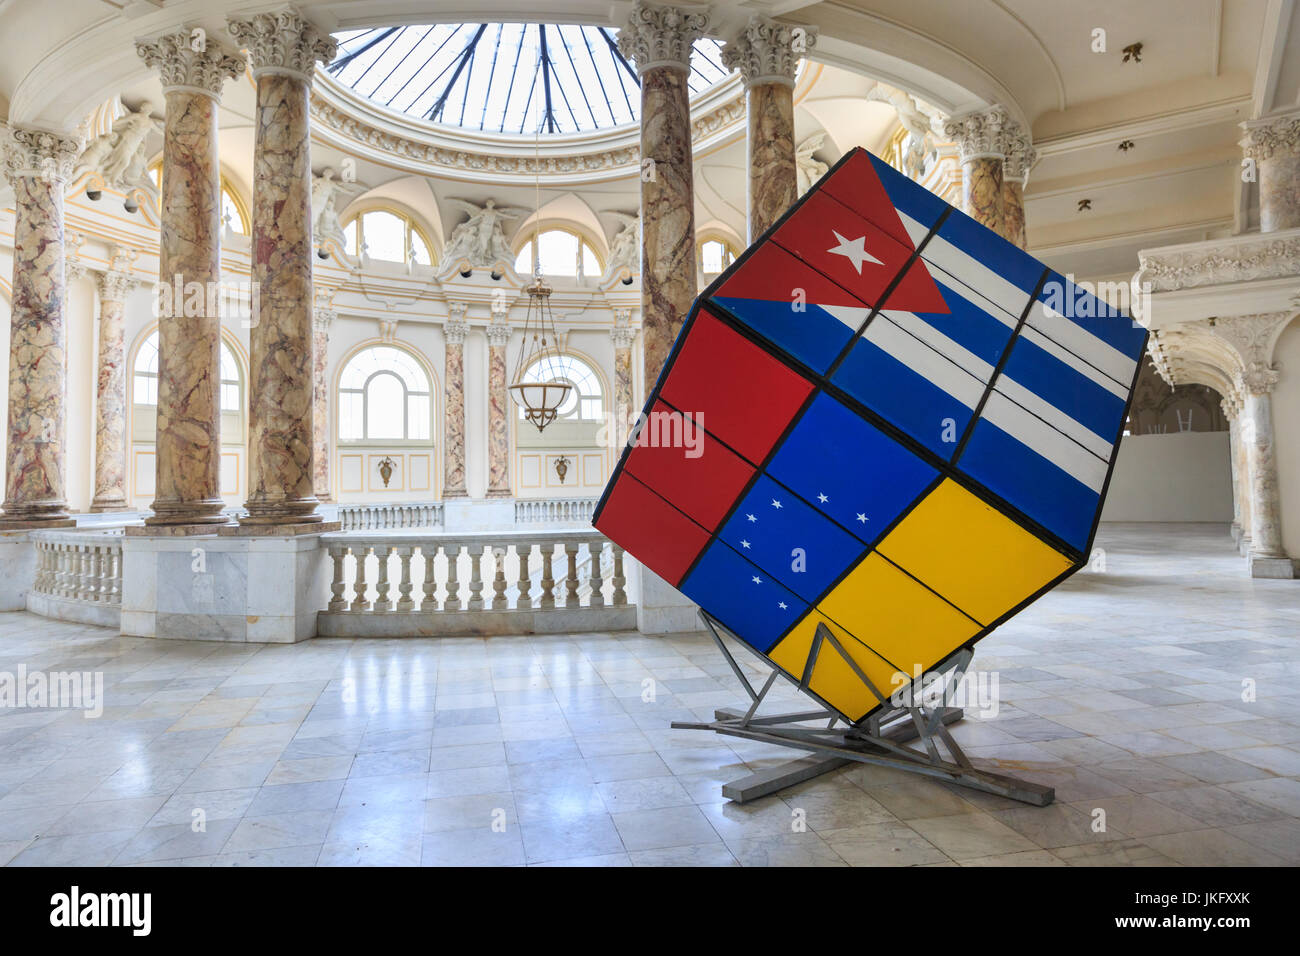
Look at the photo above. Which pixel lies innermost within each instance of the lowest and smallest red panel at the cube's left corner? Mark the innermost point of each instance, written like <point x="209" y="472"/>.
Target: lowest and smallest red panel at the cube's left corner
<point x="647" y="526"/>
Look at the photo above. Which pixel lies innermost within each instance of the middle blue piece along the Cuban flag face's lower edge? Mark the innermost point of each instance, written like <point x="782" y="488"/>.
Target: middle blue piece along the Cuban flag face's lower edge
<point x="907" y="400"/>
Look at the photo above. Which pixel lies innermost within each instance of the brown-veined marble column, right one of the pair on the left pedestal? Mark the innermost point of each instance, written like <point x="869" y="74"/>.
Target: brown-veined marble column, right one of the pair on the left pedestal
<point x="284" y="49"/>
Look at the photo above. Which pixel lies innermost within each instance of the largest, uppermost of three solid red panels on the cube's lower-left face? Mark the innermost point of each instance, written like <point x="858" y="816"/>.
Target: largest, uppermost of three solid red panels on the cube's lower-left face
<point x="734" y="388"/>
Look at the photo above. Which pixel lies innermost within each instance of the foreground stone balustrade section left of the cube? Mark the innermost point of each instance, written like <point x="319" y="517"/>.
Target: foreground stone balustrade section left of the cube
<point x="413" y="585"/>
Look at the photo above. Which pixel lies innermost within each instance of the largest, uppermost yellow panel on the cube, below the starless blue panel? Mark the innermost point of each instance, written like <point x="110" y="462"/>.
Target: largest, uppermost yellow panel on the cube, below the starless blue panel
<point x="970" y="553"/>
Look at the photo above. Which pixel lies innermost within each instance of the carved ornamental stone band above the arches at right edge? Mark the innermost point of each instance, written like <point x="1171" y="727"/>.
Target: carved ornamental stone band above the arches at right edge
<point x="1241" y="259"/>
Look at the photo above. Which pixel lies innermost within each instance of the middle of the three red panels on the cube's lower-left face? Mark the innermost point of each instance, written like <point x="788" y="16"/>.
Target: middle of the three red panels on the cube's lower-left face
<point x="686" y="466"/>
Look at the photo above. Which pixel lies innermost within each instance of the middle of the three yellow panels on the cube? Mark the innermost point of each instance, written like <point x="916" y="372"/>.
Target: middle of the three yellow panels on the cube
<point x="896" y="617"/>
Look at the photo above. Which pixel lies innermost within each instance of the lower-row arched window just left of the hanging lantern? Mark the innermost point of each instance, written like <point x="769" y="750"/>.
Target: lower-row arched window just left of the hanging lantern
<point x="384" y="396"/>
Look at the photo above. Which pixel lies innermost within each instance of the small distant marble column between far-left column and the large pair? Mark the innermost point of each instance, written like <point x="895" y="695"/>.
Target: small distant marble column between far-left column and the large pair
<point x="111" y="393"/>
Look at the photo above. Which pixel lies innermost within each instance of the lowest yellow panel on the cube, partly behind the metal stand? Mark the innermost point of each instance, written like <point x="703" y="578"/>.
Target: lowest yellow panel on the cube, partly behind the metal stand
<point x="833" y="678"/>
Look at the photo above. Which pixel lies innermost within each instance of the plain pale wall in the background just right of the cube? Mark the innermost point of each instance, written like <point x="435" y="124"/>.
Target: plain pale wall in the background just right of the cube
<point x="1172" y="478"/>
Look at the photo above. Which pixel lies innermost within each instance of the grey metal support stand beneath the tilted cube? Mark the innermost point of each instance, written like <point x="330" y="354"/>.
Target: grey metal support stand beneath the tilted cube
<point x="879" y="738"/>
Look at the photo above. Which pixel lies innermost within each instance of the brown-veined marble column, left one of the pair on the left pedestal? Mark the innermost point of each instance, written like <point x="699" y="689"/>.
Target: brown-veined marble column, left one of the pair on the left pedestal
<point x="188" y="485"/>
